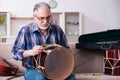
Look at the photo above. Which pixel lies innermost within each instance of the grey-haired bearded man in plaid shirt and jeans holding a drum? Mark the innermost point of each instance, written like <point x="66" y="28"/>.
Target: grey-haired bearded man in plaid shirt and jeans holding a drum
<point x="31" y="37"/>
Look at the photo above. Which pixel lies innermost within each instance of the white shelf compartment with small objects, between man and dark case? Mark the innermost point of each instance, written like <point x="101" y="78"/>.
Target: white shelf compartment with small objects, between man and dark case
<point x="72" y="26"/>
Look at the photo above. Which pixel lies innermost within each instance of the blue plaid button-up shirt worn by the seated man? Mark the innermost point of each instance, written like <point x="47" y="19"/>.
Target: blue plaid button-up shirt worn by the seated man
<point x="30" y="35"/>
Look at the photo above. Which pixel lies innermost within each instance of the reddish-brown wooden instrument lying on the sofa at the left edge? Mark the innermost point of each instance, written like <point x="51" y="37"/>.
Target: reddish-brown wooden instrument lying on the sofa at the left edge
<point x="7" y="69"/>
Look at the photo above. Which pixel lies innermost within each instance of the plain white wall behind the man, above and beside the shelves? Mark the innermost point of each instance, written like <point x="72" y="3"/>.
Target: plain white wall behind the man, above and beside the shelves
<point x="98" y="15"/>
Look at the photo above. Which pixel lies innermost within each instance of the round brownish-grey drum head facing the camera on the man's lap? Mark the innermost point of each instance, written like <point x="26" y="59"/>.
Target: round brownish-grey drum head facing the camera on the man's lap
<point x="59" y="64"/>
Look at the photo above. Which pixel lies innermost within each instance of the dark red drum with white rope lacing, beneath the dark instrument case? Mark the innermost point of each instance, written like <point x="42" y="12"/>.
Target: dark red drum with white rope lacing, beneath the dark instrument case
<point x="112" y="62"/>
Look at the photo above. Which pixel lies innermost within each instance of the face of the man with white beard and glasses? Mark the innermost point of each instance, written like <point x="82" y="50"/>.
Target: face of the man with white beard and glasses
<point x="43" y="18"/>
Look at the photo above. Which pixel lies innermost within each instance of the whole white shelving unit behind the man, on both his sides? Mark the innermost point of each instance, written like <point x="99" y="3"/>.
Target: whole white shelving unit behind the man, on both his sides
<point x="70" y="22"/>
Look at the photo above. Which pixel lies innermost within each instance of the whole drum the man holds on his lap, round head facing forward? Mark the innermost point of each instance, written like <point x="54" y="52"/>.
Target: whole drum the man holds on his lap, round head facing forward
<point x="56" y="62"/>
